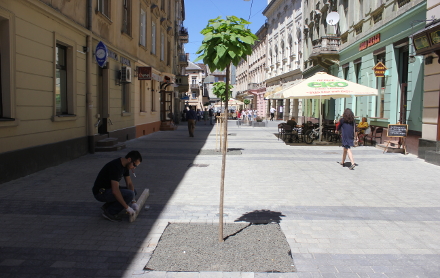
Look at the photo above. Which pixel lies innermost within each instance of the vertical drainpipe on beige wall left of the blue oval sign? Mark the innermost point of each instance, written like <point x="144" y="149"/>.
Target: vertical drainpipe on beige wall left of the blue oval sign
<point x="89" y="97"/>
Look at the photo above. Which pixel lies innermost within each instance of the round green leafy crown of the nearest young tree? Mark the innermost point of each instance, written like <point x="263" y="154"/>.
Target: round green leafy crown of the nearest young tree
<point x="225" y="42"/>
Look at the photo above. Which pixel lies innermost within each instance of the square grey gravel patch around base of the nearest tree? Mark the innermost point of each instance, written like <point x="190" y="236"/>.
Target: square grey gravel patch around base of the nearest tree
<point x="246" y="248"/>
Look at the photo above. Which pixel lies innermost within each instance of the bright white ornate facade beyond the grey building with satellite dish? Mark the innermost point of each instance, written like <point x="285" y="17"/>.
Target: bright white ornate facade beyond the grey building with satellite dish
<point x="284" y="54"/>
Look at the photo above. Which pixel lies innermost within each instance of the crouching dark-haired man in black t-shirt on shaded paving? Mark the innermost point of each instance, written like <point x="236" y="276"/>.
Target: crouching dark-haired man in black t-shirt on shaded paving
<point x="118" y="200"/>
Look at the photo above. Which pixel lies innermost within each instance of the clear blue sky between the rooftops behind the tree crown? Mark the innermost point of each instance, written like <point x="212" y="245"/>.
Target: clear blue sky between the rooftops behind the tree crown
<point x="198" y="12"/>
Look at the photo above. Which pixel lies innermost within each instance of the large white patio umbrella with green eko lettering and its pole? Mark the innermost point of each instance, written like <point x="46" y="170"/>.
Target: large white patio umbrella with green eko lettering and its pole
<point x="325" y="86"/>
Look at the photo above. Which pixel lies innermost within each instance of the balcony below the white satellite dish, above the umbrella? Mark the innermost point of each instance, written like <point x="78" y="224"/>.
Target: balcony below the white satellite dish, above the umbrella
<point x="326" y="51"/>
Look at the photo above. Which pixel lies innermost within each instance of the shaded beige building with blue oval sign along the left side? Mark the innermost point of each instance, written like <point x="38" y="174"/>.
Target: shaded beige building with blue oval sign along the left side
<point x="56" y="101"/>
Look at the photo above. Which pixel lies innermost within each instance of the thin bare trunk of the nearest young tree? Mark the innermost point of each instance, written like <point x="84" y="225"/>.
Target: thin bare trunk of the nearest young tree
<point x="224" y="151"/>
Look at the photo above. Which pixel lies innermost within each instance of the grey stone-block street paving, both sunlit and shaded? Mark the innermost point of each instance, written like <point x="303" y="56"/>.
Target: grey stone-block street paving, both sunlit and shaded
<point x="379" y="220"/>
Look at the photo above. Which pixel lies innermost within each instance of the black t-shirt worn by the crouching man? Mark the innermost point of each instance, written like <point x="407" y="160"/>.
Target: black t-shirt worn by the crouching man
<point x="114" y="170"/>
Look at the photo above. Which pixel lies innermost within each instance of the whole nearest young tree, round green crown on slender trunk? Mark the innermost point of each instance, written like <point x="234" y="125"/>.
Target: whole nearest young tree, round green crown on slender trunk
<point x="225" y="42"/>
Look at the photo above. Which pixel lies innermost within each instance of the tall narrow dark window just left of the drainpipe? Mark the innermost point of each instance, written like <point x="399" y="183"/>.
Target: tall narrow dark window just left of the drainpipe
<point x="61" y="81"/>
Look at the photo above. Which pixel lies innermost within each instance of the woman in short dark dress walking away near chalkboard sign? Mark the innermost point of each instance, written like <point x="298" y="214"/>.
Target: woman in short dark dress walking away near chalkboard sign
<point x="347" y="127"/>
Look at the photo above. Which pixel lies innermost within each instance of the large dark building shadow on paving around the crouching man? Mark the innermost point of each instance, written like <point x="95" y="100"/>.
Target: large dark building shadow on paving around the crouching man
<point x="52" y="225"/>
